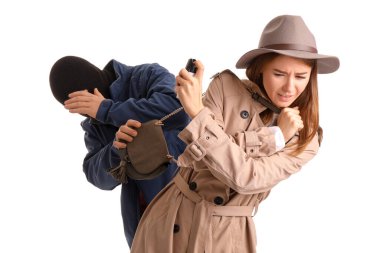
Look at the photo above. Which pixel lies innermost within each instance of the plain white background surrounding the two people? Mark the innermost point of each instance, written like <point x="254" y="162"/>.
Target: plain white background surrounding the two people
<point x="48" y="206"/>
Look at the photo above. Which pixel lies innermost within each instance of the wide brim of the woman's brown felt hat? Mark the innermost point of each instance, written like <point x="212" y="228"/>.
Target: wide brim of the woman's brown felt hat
<point x="326" y="63"/>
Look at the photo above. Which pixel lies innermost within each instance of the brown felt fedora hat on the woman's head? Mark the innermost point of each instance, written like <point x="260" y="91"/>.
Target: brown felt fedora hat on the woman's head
<point x="289" y="35"/>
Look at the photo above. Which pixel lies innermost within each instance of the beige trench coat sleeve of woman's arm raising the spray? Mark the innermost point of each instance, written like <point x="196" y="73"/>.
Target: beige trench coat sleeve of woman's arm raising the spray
<point x="207" y="142"/>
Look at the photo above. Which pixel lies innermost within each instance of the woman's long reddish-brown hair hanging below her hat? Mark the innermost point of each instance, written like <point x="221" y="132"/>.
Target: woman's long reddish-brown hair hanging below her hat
<point x="307" y="102"/>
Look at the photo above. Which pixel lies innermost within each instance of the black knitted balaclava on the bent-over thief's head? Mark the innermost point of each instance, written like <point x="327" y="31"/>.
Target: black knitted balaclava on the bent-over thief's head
<point x="71" y="73"/>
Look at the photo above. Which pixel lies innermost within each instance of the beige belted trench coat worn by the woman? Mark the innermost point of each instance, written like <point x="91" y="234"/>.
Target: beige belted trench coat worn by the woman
<point x="227" y="169"/>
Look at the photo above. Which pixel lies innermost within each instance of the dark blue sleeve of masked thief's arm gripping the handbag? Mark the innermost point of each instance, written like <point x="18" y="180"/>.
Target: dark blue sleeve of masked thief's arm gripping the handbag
<point x="101" y="156"/>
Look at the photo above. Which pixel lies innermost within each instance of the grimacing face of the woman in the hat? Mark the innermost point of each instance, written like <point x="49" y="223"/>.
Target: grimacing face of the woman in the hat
<point x="284" y="79"/>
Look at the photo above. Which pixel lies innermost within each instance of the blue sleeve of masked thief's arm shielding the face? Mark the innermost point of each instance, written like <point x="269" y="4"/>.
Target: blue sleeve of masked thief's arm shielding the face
<point x="150" y="95"/>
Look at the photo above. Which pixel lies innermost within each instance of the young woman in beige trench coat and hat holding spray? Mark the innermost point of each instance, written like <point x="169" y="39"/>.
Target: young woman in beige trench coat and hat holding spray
<point x="238" y="147"/>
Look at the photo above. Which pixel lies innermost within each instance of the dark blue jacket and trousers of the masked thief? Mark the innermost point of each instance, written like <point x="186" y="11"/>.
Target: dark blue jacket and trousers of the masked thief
<point x="143" y="93"/>
